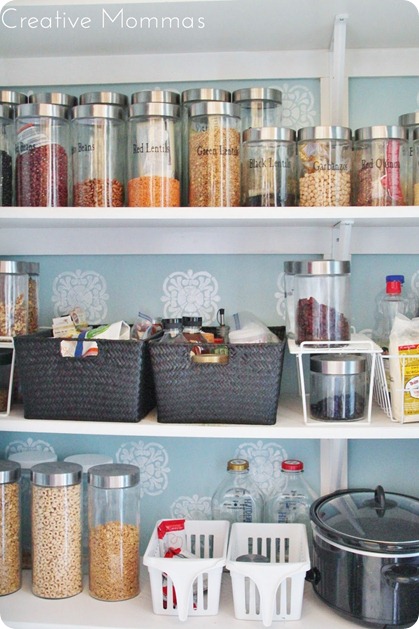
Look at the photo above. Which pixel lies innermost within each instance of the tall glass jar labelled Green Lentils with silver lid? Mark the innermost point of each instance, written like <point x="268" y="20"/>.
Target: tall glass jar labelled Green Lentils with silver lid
<point x="214" y="155"/>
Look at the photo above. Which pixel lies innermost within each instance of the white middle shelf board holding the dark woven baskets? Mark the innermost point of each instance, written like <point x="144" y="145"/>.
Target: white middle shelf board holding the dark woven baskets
<point x="289" y="425"/>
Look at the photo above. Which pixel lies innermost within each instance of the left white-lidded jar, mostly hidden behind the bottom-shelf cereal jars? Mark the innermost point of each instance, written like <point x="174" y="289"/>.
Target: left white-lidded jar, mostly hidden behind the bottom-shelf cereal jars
<point x="27" y="460"/>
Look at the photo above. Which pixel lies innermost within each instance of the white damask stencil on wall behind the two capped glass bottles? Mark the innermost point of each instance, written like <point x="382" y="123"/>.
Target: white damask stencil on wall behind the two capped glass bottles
<point x="265" y="463"/>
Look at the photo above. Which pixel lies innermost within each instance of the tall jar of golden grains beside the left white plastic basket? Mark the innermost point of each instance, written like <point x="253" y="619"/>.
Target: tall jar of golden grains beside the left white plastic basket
<point x="114" y="531"/>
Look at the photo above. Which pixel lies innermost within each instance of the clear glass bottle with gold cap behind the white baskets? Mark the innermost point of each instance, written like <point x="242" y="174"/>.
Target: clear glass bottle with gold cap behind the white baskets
<point x="237" y="498"/>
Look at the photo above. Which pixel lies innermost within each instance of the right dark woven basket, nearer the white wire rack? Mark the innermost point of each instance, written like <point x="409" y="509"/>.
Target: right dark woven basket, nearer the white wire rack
<point x="244" y="391"/>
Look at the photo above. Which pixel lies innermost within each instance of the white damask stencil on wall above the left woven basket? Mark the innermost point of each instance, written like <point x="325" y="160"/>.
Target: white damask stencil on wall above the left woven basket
<point x="83" y="289"/>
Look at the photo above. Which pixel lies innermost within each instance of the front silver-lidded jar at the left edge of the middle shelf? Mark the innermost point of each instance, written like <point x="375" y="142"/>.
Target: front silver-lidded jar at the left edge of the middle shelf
<point x="13" y="298"/>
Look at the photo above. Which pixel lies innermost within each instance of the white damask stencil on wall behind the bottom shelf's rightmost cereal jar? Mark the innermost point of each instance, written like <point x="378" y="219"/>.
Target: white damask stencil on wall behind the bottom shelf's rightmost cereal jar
<point x="152" y="459"/>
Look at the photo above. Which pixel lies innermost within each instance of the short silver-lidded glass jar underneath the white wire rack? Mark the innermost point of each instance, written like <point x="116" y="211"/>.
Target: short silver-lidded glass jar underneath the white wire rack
<point x="338" y="387"/>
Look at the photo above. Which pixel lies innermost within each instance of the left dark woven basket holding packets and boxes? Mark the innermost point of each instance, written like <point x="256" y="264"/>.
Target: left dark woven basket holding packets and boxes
<point x="116" y="385"/>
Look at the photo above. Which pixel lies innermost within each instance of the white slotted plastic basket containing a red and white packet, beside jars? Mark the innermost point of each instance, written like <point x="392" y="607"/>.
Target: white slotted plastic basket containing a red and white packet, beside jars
<point x="189" y="587"/>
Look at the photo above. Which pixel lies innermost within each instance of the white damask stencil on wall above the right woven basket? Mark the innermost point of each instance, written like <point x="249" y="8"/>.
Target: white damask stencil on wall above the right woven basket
<point x="191" y="294"/>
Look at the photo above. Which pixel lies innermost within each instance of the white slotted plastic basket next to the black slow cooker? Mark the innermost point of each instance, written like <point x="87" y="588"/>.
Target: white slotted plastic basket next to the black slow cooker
<point x="274" y="590"/>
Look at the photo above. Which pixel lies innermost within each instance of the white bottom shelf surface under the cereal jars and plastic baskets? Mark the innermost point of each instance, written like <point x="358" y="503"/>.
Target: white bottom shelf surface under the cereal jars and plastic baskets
<point x="22" y="610"/>
